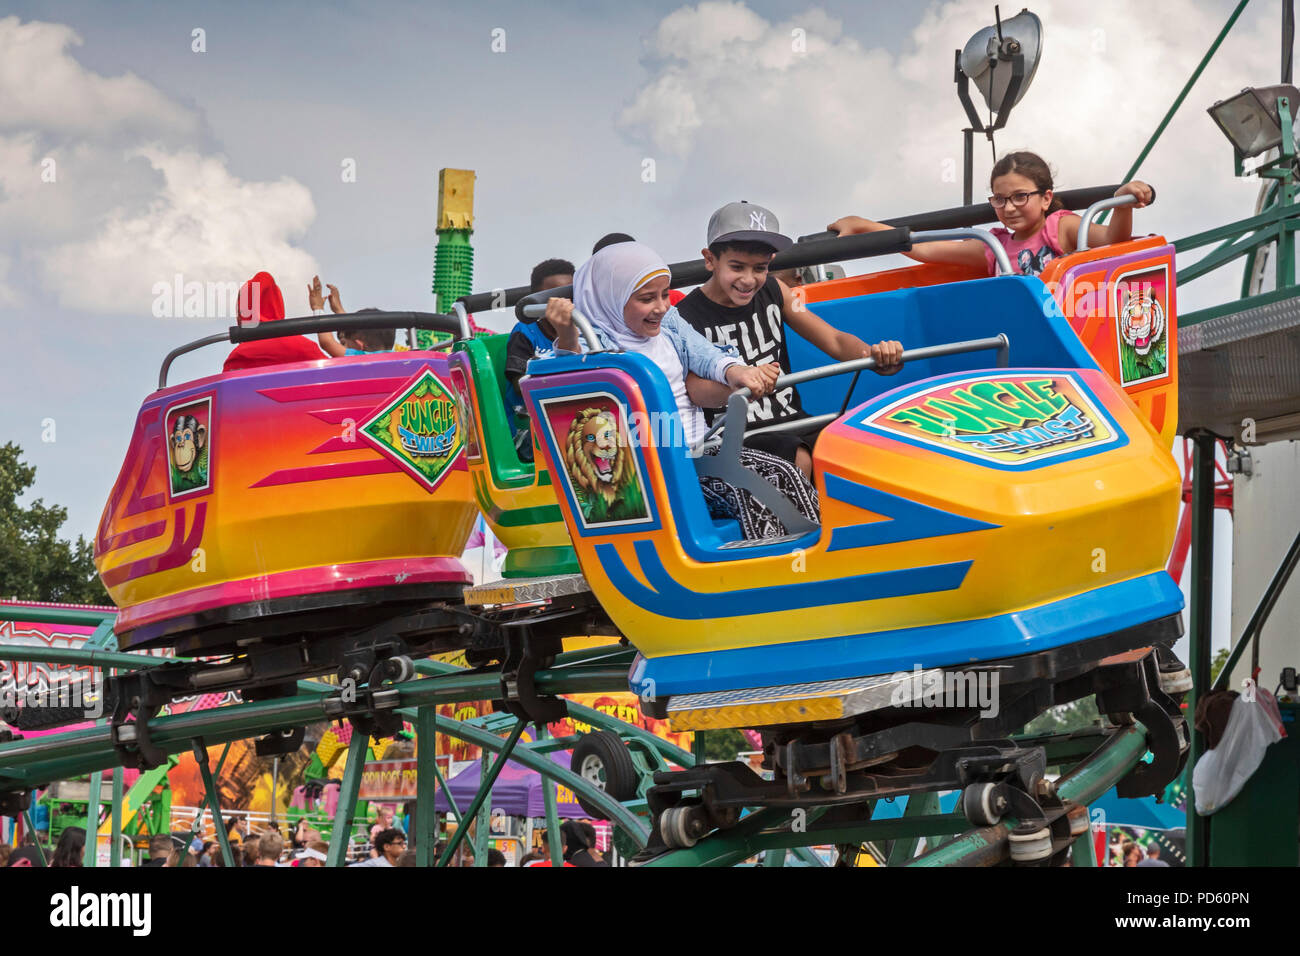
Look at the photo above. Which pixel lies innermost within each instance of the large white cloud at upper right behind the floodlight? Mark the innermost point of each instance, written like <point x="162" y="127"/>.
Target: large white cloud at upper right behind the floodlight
<point x="847" y="128"/>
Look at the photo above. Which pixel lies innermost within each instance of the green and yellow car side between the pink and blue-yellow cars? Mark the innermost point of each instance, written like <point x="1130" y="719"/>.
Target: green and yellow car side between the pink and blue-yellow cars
<point x="515" y="498"/>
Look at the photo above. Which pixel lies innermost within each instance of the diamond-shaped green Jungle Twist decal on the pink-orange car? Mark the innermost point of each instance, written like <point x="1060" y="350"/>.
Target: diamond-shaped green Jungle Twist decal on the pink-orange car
<point x="419" y="429"/>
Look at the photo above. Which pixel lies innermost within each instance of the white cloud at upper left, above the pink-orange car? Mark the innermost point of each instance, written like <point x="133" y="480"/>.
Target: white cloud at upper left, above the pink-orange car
<point x="106" y="188"/>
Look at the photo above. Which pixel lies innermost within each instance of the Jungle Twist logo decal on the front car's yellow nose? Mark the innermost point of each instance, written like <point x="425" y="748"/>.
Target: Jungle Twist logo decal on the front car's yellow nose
<point x="1013" y="419"/>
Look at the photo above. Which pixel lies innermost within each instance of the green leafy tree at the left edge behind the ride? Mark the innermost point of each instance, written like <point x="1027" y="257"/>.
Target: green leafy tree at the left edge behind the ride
<point x="36" y="564"/>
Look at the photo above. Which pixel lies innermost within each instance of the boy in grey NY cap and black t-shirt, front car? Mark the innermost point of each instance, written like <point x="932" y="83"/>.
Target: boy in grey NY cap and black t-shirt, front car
<point x="743" y="305"/>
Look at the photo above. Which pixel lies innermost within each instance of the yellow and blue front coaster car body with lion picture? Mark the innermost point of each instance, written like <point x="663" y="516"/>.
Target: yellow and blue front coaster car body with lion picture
<point x="968" y="513"/>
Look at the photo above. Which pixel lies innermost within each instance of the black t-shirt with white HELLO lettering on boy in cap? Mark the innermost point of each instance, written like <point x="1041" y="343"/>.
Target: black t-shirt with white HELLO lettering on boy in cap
<point x="759" y="332"/>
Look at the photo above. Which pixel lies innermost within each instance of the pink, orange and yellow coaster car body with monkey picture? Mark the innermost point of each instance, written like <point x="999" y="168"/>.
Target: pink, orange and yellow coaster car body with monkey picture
<point x="254" y="487"/>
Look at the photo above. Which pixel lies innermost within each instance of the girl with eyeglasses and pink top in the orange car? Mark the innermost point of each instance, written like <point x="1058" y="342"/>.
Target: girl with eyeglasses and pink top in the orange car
<point x="1035" y="227"/>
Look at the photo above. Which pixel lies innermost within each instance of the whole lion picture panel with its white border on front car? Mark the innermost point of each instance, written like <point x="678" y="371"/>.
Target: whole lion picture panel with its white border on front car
<point x="603" y="470"/>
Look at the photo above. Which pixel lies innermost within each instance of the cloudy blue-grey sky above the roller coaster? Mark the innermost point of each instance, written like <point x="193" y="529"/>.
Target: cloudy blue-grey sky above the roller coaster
<point x="145" y="141"/>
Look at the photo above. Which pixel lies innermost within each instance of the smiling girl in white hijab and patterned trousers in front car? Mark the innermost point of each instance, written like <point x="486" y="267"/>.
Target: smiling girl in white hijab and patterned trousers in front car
<point x="623" y="291"/>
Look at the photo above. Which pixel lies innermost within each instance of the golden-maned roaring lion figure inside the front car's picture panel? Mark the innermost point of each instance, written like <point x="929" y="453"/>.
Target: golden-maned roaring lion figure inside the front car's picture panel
<point x="603" y="469"/>
